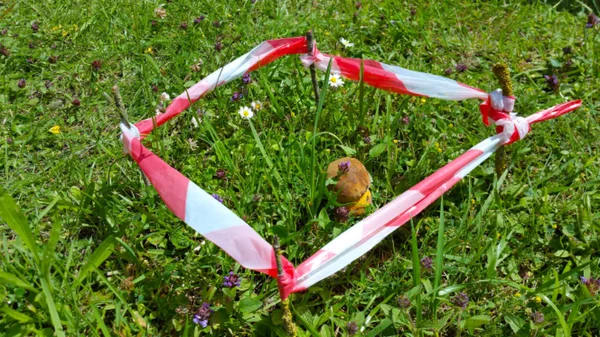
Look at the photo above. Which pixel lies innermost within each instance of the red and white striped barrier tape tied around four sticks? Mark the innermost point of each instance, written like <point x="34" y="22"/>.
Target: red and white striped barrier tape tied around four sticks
<point x="221" y="226"/>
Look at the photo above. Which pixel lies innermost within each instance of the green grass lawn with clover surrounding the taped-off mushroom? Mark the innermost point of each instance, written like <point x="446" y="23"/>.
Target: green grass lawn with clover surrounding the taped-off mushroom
<point x="91" y="251"/>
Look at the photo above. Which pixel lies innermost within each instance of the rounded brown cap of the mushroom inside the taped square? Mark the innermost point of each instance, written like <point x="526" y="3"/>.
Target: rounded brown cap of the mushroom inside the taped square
<point x="351" y="185"/>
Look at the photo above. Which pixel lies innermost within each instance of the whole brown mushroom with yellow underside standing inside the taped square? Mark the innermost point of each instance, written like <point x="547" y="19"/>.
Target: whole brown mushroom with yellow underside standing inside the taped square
<point x="352" y="186"/>
